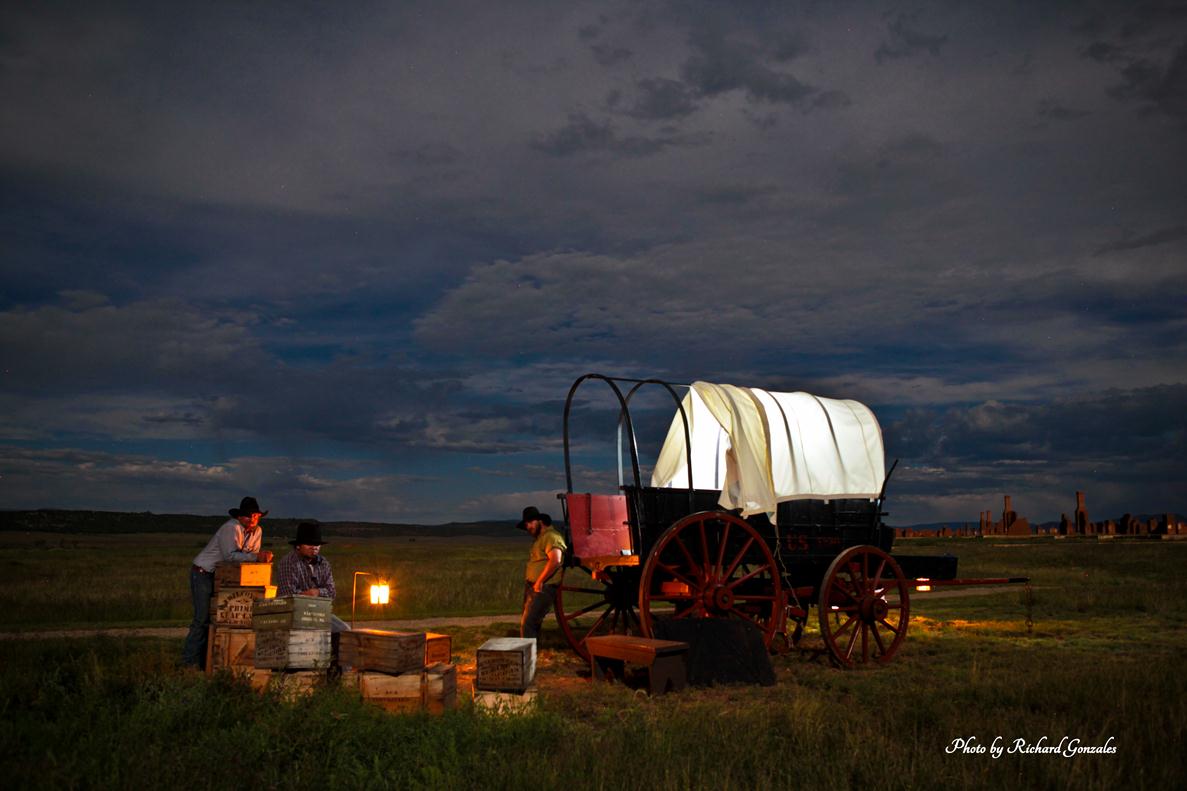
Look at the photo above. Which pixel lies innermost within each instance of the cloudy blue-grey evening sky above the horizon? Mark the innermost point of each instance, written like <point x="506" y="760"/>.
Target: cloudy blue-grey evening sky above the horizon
<point x="350" y="257"/>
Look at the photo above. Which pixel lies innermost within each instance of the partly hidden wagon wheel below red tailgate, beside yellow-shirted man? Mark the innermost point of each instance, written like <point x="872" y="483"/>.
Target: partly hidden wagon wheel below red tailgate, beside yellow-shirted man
<point x="604" y="606"/>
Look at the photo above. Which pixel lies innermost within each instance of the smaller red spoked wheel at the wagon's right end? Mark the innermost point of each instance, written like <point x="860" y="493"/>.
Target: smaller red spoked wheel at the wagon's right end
<point x="865" y="608"/>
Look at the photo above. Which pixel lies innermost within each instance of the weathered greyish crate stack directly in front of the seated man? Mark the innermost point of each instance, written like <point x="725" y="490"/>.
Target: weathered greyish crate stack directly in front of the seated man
<point x="293" y="641"/>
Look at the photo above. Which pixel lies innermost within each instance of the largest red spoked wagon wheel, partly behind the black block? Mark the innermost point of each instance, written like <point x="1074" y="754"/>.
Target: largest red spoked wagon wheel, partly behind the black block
<point x="712" y="565"/>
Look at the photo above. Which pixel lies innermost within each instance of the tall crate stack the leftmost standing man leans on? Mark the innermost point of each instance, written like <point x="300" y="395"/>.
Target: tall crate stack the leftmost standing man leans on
<point x="231" y="644"/>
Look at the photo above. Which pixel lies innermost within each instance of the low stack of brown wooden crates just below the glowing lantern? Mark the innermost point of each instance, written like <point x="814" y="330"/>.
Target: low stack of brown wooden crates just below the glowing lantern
<point x="399" y="672"/>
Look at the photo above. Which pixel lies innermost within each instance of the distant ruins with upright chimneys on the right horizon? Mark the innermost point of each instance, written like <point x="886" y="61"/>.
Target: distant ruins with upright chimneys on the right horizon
<point x="1012" y="524"/>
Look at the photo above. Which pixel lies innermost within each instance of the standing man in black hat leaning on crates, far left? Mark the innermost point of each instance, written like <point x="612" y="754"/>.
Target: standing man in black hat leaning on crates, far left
<point x="238" y="540"/>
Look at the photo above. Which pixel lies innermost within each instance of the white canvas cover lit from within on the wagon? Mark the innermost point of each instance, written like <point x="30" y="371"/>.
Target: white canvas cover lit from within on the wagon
<point x="763" y="448"/>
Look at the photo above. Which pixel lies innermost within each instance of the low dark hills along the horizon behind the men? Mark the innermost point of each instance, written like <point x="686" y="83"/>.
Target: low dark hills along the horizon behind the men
<point x="115" y="522"/>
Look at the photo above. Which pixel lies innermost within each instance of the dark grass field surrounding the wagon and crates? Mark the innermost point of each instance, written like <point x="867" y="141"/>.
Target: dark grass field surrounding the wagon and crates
<point x="1105" y="660"/>
